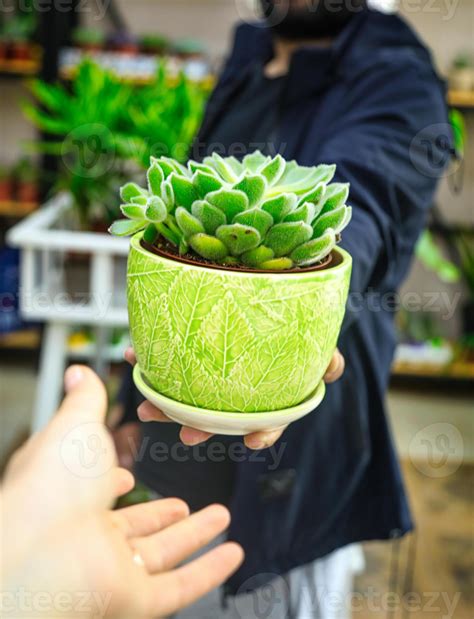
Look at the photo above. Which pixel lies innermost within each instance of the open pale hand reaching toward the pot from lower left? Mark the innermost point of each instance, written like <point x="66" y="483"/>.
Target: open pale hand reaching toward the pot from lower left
<point x="63" y="538"/>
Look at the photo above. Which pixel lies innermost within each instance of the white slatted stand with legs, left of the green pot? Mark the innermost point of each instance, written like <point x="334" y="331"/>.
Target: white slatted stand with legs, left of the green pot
<point x="50" y="243"/>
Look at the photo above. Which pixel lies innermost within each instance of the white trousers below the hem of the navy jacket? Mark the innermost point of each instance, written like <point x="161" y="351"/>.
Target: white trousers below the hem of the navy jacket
<point x="318" y="590"/>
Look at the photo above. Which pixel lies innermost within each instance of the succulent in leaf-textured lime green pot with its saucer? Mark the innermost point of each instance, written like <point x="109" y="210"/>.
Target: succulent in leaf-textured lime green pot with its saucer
<point x="236" y="289"/>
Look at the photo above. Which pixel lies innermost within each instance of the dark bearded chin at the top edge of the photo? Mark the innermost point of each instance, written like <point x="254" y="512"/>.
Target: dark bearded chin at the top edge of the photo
<point x="312" y="19"/>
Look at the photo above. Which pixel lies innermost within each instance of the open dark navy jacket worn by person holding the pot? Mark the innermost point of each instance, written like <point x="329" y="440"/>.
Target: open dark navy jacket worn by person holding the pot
<point x="379" y="113"/>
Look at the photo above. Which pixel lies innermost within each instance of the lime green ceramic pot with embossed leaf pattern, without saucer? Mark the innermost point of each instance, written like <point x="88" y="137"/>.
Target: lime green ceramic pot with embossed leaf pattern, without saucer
<point x="230" y="340"/>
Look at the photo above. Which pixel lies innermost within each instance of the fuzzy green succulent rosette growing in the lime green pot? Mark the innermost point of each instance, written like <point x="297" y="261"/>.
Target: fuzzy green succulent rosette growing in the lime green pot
<point x="261" y="213"/>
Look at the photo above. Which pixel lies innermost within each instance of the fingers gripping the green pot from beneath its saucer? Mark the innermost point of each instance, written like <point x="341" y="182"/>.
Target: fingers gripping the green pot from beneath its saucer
<point x="257" y="440"/>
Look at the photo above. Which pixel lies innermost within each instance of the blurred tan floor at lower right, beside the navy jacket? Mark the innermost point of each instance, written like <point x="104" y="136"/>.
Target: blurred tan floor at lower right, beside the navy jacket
<point x="429" y="574"/>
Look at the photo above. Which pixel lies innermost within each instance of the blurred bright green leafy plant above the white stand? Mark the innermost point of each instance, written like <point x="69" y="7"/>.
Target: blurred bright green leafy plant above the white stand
<point x="104" y="129"/>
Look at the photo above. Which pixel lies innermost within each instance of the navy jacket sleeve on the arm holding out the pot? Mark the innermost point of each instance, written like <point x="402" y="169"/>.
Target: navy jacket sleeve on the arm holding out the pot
<point x="392" y="145"/>
